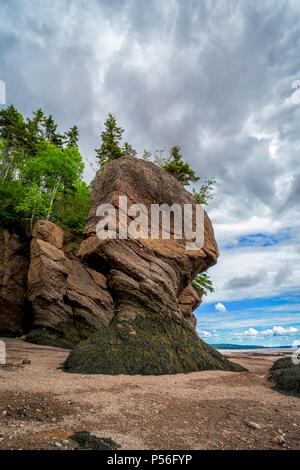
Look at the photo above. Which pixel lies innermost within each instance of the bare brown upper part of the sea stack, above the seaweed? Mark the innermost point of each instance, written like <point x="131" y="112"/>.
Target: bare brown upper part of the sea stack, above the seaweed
<point x="145" y="277"/>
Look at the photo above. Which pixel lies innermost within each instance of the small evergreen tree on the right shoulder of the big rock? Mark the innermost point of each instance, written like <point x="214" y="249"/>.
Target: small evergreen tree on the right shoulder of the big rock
<point x="176" y="167"/>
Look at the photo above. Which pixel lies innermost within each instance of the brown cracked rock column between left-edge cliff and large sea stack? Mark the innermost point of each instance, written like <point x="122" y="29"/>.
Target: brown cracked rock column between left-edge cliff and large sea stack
<point x="62" y="290"/>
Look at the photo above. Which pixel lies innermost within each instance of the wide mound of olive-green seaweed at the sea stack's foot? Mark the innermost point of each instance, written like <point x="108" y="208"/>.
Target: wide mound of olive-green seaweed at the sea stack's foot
<point x="147" y="346"/>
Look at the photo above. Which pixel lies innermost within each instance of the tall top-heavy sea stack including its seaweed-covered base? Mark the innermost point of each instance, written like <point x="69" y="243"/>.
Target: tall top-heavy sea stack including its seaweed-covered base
<point x="152" y="331"/>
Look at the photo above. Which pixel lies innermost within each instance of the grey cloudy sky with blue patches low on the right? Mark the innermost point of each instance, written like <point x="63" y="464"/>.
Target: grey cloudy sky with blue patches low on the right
<point x="219" y="78"/>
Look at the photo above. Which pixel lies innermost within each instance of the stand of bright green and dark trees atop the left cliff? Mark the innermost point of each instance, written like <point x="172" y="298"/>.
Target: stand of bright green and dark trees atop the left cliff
<point x="39" y="178"/>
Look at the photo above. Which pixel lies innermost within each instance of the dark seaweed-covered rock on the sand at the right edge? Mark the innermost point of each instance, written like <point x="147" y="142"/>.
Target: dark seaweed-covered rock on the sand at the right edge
<point x="286" y="376"/>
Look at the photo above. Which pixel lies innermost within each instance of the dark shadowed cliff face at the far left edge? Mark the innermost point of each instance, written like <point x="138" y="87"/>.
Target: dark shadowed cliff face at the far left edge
<point x="14" y="261"/>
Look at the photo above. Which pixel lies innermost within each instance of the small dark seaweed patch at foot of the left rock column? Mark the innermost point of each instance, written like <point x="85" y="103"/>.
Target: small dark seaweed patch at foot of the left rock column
<point x="66" y="335"/>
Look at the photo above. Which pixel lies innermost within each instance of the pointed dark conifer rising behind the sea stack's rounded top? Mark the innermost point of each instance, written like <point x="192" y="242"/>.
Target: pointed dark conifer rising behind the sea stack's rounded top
<point x="111" y="137"/>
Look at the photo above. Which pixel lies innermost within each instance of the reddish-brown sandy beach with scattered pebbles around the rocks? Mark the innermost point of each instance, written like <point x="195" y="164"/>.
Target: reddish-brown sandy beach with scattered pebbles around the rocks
<point x="41" y="406"/>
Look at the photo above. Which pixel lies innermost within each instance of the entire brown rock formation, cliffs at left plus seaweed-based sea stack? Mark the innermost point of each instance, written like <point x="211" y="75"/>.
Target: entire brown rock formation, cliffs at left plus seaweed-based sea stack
<point x="124" y="305"/>
